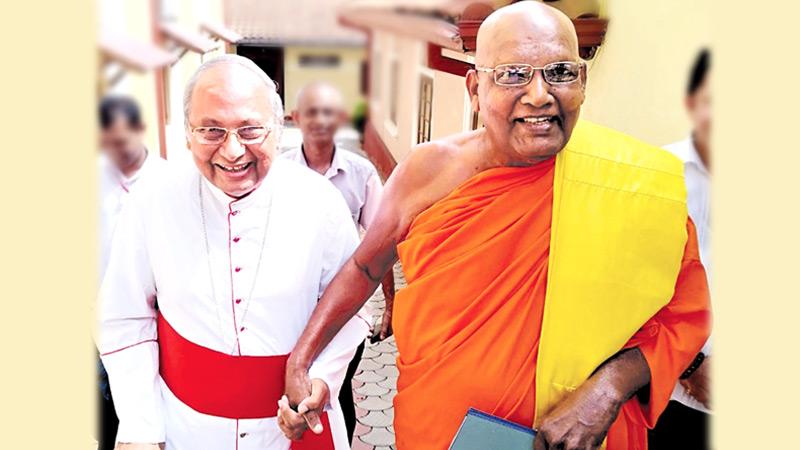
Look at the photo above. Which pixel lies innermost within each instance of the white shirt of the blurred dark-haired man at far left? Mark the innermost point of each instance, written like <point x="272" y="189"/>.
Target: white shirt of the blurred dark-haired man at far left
<point x="114" y="188"/>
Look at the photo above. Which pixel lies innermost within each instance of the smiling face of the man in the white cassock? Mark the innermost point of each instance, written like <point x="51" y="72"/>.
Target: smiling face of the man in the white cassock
<point x="231" y="96"/>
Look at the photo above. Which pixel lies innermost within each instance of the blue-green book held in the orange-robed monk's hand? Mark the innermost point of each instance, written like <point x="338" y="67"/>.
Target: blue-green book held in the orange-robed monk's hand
<point x="481" y="431"/>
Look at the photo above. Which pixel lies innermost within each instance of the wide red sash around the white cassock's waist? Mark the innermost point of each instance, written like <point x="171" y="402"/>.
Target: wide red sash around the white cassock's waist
<point x="234" y="387"/>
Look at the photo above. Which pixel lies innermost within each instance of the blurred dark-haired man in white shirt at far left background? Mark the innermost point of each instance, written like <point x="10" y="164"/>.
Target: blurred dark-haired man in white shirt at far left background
<point x="123" y="162"/>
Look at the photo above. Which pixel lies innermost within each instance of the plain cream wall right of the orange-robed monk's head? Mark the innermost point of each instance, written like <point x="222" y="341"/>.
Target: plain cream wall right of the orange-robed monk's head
<point x="636" y="82"/>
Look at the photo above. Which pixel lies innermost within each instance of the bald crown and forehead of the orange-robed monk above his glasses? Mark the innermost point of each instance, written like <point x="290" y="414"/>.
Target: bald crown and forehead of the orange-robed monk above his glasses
<point x="523" y="23"/>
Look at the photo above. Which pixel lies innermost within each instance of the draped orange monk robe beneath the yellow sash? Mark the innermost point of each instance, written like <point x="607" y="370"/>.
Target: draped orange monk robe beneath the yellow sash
<point x="468" y="324"/>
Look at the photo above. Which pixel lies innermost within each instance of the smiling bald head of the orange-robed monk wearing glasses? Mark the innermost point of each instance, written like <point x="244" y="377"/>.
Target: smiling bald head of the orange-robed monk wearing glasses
<point x="534" y="121"/>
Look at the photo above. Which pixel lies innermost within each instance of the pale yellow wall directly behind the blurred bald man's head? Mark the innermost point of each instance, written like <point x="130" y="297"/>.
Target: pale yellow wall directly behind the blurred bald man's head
<point x="346" y="76"/>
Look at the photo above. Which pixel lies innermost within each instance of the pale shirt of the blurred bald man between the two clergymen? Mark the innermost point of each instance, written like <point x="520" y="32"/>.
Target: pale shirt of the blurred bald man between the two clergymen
<point x="355" y="177"/>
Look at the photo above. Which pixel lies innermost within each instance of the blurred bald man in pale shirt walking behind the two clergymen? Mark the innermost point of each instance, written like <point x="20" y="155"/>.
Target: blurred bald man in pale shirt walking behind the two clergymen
<point x="319" y="113"/>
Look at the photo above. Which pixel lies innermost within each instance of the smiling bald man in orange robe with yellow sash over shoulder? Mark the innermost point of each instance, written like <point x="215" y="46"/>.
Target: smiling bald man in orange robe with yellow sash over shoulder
<point x="554" y="277"/>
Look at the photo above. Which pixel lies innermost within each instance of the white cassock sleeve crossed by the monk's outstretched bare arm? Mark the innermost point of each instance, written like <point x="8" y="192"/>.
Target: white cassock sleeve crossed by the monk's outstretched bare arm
<point x="331" y="364"/>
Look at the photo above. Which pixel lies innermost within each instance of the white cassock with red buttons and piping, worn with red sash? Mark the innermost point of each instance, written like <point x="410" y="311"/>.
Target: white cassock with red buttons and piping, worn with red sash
<point x="159" y="251"/>
